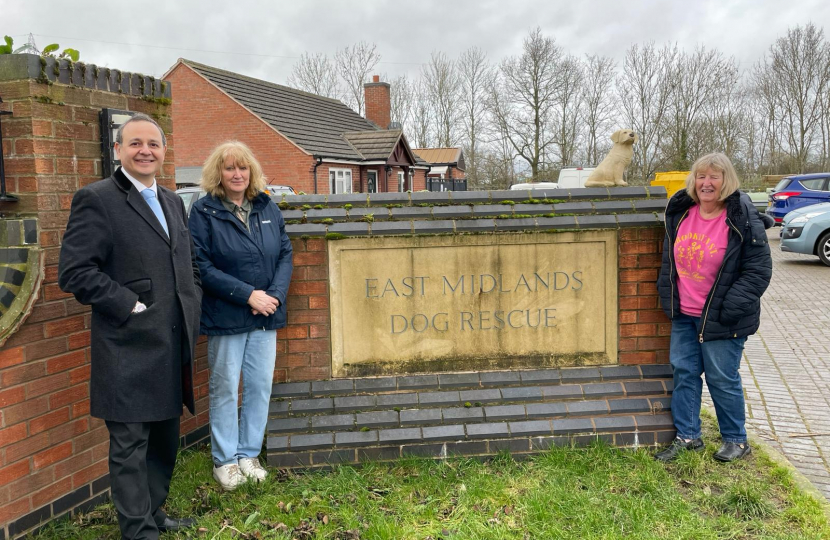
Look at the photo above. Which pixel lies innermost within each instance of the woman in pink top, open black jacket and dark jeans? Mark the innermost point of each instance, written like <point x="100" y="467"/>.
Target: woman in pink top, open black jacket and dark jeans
<point x="716" y="265"/>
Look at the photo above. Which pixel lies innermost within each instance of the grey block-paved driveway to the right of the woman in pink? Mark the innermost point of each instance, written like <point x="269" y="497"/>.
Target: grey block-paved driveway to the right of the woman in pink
<point x="786" y="368"/>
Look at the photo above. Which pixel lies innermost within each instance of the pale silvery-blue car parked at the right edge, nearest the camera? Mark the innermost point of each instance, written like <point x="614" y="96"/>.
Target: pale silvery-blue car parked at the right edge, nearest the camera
<point x="807" y="230"/>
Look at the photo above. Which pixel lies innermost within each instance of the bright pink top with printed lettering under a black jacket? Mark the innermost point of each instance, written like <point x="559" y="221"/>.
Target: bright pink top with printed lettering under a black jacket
<point x="698" y="253"/>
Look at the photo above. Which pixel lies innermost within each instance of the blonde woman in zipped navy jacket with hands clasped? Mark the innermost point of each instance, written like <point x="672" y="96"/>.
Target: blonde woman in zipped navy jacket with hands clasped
<point x="245" y="259"/>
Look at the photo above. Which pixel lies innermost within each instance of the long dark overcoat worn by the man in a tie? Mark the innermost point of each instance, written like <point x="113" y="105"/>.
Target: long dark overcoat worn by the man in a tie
<point x="115" y="253"/>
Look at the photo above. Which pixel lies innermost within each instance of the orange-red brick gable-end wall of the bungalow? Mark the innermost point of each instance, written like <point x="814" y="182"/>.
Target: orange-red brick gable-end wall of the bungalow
<point x="209" y="117"/>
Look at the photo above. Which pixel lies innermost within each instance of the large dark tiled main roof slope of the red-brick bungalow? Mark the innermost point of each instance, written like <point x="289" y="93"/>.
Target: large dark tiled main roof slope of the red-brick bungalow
<point x="314" y="123"/>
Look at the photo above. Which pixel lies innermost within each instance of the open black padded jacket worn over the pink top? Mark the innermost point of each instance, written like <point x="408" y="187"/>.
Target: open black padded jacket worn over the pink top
<point x="733" y="306"/>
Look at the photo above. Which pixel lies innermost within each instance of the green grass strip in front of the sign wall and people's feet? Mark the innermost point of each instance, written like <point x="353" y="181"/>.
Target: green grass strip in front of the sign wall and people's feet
<point x="597" y="492"/>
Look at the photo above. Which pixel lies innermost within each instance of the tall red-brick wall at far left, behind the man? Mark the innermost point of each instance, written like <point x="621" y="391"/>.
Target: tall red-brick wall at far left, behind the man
<point x="53" y="455"/>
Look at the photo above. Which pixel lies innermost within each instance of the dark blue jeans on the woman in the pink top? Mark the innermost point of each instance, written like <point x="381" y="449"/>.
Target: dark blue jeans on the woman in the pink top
<point x="720" y="360"/>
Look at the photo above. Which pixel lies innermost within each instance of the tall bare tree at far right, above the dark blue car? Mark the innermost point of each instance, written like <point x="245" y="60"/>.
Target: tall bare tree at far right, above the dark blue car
<point x="798" y="66"/>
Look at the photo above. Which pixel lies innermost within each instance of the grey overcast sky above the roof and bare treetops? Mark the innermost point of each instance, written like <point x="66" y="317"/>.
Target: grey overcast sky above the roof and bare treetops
<point x="263" y="39"/>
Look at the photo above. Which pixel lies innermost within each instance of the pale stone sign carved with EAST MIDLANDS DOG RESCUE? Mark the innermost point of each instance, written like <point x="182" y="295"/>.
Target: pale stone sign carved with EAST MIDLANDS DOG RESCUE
<point x="450" y="303"/>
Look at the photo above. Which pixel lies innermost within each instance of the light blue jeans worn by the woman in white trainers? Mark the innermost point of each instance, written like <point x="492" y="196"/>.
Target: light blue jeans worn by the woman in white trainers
<point x="234" y="435"/>
